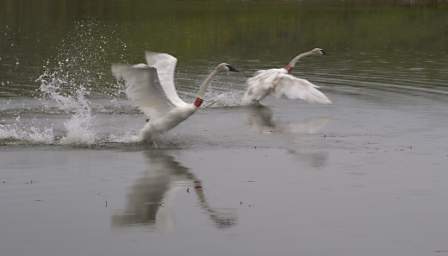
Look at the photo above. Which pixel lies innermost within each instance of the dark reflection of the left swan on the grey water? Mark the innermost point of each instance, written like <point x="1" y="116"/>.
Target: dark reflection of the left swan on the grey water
<point x="151" y="197"/>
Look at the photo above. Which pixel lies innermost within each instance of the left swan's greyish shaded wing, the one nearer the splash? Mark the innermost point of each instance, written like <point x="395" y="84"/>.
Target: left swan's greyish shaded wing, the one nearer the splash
<point x="143" y="89"/>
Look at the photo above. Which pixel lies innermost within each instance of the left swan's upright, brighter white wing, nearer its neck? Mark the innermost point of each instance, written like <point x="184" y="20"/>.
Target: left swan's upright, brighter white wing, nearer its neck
<point x="165" y="65"/>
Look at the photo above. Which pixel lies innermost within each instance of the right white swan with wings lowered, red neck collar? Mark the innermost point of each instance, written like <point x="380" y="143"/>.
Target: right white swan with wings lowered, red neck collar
<point x="279" y="82"/>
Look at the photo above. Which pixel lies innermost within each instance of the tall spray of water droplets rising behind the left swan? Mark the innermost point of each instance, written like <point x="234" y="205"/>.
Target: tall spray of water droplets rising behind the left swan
<point x="73" y="76"/>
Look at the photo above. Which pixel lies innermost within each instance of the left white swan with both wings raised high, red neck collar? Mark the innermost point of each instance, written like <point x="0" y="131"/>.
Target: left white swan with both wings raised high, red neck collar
<point x="151" y="88"/>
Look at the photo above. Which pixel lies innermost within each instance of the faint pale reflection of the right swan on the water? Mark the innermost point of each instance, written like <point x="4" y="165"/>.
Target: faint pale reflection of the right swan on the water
<point x="260" y="118"/>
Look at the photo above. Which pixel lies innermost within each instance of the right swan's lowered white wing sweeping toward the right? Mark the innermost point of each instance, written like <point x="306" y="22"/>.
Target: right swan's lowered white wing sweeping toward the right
<point x="292" y="87"/>
